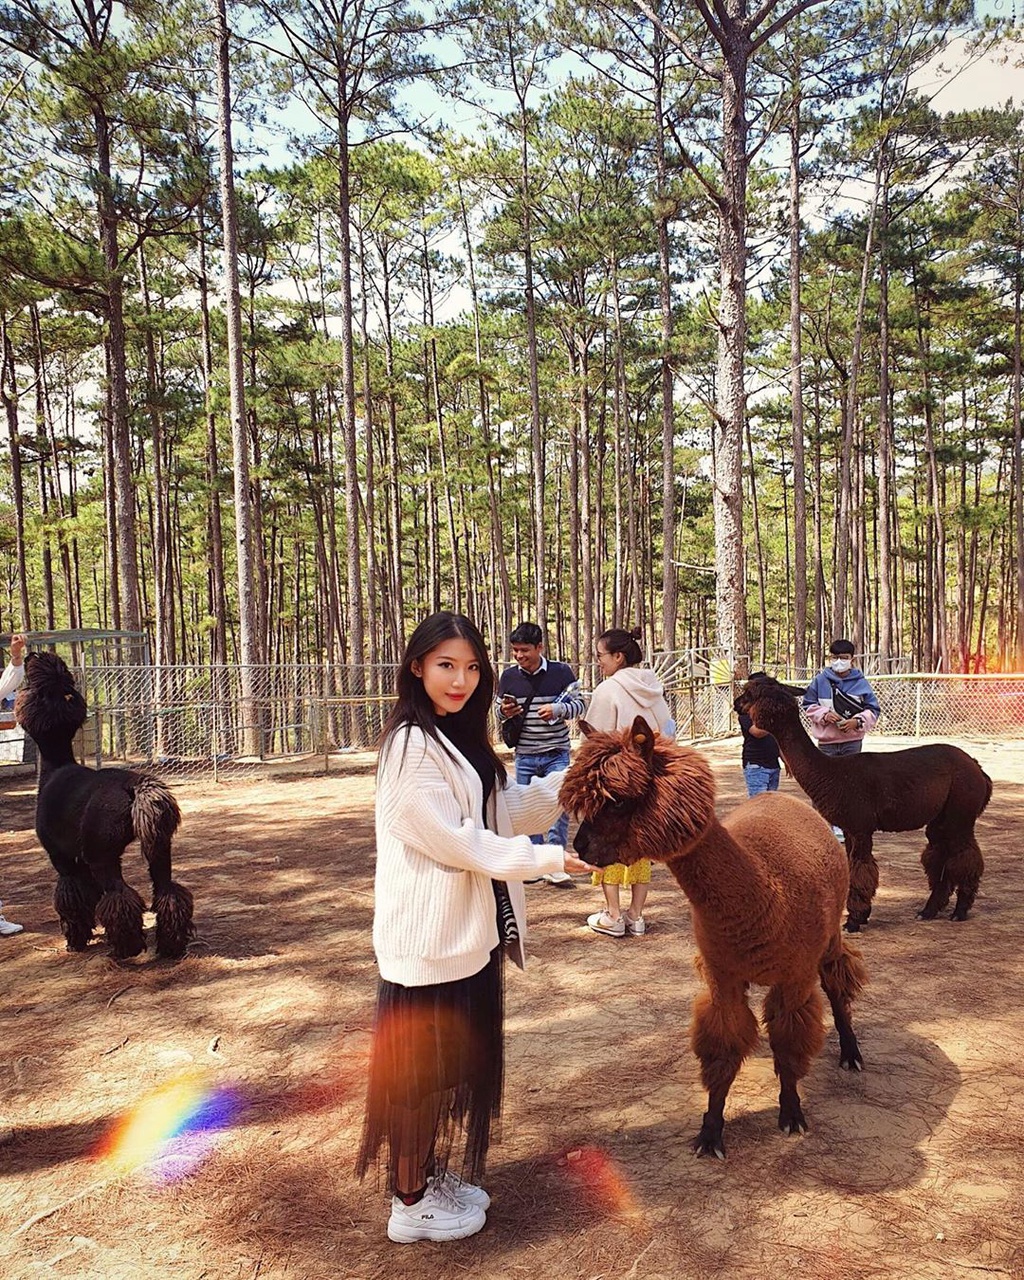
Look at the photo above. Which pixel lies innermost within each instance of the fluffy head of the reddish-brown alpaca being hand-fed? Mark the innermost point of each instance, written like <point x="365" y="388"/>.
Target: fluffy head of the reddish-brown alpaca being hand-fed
<point x="637" y="796"/>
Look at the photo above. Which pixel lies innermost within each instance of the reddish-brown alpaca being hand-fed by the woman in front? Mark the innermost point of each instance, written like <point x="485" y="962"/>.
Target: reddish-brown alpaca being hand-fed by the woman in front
<point x="767" y="888"/>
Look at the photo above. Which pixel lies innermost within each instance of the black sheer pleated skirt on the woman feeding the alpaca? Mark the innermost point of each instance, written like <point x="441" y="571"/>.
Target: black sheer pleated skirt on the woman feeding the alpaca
<point x="444" y="1046"/>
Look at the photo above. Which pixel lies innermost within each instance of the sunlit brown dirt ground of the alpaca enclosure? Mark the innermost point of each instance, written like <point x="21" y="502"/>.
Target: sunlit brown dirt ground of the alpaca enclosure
<point x="911" y="1171"/>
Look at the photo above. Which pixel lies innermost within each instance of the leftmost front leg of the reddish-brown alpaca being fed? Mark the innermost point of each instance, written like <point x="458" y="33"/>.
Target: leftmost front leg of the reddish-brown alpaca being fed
<point x="724" y="1032"/>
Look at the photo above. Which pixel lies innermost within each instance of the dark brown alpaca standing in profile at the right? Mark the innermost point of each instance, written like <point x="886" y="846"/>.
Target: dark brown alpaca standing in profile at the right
<point x="938" y="787"/>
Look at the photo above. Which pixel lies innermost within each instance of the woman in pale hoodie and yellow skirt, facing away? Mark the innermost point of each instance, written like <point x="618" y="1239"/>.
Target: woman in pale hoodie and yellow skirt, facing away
<point x="628" y="691"/>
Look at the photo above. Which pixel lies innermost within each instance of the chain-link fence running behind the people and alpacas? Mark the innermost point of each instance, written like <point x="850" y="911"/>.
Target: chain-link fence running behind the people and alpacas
<point x="222" y="723"/>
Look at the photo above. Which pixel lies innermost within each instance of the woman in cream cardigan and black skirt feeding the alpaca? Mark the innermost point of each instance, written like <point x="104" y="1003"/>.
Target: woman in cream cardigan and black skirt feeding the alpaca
<point x="452" y="852"/>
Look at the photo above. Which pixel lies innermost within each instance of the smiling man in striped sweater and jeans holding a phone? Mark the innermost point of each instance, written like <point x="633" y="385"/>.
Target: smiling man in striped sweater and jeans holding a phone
<point x="554" y="697"/>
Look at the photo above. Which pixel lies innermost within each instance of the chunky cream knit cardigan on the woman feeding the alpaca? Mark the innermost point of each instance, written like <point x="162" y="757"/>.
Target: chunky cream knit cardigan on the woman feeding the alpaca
<point x="435" y="909"/>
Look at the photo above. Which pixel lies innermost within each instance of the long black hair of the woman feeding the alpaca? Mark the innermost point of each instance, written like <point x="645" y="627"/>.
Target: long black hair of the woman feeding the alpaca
<point x="414" y="706"/>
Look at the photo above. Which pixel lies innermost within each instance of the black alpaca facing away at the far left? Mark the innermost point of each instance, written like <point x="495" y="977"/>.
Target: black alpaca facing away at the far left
<point x="86" y="819"/>
